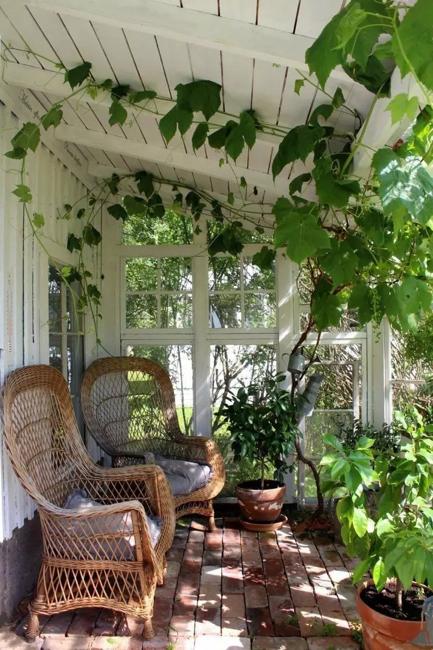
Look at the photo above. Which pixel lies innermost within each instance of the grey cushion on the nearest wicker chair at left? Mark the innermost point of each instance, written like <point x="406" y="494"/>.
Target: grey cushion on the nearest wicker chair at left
<point x="118" y="524"/>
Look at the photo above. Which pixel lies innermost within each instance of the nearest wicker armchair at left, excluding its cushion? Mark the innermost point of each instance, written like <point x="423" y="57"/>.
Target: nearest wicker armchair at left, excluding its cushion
<point x="101" y="556"/>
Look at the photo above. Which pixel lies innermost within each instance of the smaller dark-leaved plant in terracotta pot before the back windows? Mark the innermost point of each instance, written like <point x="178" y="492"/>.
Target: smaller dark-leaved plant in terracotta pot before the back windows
<point x="261" y="419"/>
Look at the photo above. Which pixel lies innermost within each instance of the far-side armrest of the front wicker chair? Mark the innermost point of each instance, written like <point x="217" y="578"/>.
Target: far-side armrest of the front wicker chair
<point x="145" y="483"/>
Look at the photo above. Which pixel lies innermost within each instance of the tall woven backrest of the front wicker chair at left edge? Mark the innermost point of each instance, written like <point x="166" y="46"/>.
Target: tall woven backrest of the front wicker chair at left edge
<point x="41" y="434"/>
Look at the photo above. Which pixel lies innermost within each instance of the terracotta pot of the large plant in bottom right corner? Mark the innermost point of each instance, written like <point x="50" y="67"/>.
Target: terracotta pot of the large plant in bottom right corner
<point x="382" y="632"/>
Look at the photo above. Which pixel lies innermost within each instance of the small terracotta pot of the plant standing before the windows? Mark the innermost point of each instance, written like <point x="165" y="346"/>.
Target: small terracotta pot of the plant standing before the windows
<point x="262" y="506"/>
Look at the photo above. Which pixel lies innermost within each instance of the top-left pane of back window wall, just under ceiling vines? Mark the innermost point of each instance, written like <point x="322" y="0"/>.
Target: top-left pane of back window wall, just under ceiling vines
<point x="172" y="228"/>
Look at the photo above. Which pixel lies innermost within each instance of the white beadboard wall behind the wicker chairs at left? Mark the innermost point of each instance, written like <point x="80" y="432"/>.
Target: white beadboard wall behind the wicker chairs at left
<point x="56" y="177"/>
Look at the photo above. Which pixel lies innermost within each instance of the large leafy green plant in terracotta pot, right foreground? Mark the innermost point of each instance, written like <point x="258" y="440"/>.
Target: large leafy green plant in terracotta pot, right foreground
<point x="393" y="537"/>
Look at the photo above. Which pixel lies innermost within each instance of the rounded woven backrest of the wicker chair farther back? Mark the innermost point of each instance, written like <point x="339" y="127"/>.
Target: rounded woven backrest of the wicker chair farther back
<point x="128" y="399"/>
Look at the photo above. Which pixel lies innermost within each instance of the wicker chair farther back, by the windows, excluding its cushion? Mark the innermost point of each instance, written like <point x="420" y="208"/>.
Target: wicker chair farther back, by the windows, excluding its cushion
<point x="129" y="407"/>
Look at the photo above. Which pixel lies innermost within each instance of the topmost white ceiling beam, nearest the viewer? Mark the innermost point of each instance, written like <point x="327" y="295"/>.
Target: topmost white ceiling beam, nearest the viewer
<point x="189" y="26"/>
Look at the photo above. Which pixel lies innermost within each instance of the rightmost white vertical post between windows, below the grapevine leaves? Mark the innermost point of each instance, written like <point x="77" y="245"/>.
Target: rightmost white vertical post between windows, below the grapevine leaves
<point x="380" y="384"/>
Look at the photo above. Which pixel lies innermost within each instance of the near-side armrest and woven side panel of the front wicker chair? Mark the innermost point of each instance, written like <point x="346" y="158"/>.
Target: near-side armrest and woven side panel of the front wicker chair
<point x="111" y="533"/>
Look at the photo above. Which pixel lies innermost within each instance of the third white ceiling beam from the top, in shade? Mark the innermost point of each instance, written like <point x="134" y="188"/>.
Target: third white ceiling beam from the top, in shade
<point x="172" y="158"/>
